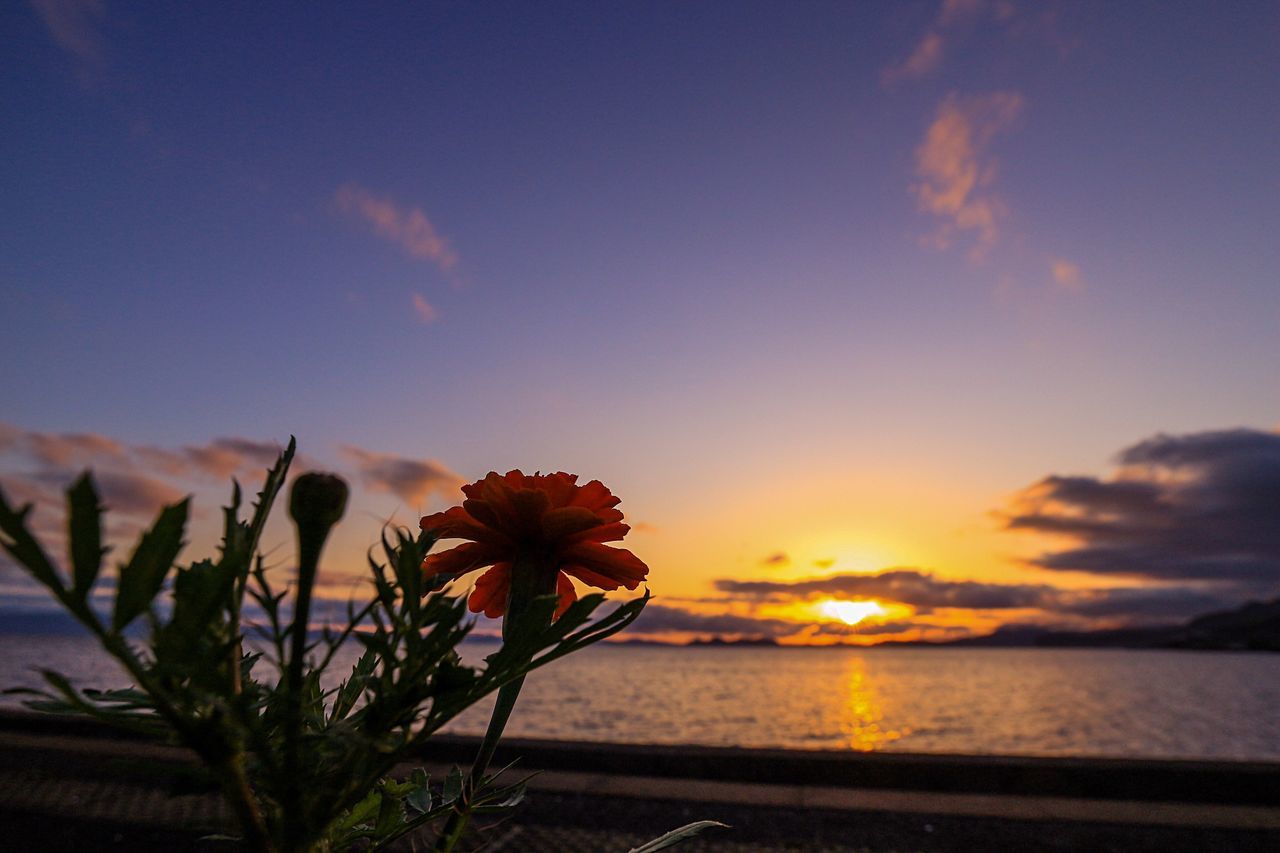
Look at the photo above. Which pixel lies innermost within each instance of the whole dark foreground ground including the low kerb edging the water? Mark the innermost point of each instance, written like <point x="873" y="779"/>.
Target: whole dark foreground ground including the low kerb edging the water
<point x="74" y="787"/>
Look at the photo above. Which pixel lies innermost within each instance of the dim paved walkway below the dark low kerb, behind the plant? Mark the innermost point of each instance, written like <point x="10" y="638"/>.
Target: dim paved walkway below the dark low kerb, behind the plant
<point x="76" y="792"/>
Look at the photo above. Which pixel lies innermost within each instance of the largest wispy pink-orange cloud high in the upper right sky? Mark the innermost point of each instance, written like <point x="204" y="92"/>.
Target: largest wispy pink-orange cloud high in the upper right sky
<point x="957" y="172"/>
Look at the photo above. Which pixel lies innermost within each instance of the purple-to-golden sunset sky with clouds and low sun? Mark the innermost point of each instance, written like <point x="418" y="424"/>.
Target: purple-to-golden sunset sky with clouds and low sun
<point x="886" y="321"/>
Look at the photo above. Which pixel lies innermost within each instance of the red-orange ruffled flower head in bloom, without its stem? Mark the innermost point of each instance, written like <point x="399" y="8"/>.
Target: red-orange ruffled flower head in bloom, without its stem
<point x="542" y="519"/>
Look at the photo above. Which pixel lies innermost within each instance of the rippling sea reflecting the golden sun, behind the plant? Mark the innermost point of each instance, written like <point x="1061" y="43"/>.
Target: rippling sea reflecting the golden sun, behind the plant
<point x="1036" y="703"/>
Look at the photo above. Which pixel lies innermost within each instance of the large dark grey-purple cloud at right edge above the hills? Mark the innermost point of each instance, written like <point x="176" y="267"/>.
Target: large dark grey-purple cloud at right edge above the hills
<point x="1200" y="508"/>
